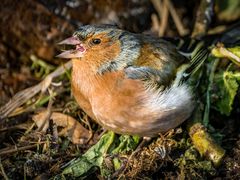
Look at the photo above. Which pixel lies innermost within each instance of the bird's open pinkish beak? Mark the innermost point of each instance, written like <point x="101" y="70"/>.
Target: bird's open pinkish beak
<point x="78" y="52"/>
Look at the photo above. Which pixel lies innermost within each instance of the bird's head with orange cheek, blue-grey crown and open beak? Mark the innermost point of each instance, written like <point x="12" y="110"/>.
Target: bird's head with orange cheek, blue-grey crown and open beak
<point x="104" y="46"/>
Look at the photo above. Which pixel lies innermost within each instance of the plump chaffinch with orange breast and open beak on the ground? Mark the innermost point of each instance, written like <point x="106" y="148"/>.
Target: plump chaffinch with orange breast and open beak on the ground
<point x="130" y="83"/>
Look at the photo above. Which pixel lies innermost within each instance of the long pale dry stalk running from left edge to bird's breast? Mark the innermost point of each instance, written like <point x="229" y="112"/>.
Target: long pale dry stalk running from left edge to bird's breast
<point x="23" y="96"/>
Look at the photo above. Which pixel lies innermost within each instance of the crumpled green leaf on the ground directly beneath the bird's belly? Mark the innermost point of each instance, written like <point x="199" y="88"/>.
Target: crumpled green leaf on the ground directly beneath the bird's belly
<point x="94" y="157"/>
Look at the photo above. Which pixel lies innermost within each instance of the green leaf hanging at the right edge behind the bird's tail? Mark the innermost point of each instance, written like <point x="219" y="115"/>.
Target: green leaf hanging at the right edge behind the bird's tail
<point x="228" y="84"/>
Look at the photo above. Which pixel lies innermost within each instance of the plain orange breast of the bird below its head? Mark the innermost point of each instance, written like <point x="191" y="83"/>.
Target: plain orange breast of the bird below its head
<point x="111" y="99"/>
